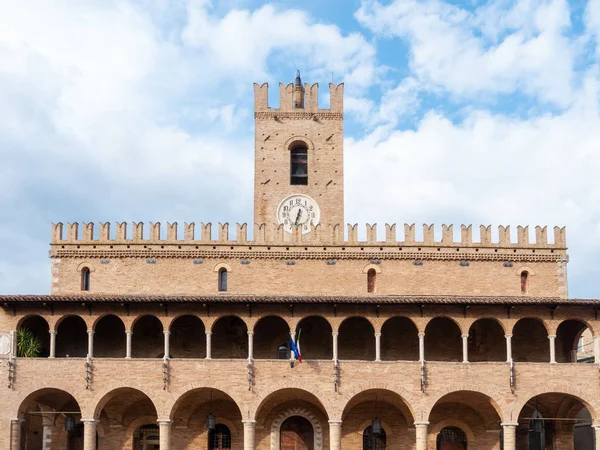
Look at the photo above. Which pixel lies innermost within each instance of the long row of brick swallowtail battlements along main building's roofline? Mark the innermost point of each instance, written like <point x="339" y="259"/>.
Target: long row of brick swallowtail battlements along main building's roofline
<point x="270" y="233"/>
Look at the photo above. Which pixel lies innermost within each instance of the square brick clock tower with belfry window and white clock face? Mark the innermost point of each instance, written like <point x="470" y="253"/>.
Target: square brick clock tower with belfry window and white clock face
<point x="299" y="165"/>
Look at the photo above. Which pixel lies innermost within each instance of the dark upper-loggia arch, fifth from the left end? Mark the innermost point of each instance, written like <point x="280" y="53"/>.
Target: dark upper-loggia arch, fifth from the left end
<point x="188" y="338"/>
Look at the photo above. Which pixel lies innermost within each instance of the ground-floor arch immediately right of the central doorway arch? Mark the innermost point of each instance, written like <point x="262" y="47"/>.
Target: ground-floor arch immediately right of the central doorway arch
<point x="392" y="414"/>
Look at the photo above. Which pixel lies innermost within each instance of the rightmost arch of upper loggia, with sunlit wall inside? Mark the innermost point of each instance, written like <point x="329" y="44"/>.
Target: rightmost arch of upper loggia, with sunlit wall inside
<point x="574" y="342"/>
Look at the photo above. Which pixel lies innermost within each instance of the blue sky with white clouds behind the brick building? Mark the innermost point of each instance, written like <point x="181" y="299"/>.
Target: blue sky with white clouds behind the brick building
<point x="456" y="112"/>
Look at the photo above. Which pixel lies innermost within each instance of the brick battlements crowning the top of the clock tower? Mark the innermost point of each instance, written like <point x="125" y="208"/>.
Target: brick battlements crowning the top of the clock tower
<point x="286" y="99"/>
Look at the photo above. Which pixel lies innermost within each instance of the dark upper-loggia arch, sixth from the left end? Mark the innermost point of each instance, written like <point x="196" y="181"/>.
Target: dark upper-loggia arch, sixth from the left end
<point x="229" y="338"/>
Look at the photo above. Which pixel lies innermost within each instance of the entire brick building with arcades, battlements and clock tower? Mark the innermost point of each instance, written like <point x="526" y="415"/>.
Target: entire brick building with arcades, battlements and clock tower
<point x="180" y="339"/>
